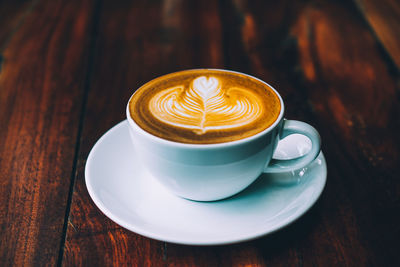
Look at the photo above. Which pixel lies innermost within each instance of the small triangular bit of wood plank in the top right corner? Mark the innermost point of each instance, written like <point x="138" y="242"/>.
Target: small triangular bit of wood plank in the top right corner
<point x="384" y="18"/>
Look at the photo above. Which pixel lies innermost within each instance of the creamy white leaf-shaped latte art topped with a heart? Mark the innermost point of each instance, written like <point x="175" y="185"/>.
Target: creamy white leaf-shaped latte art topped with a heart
<point x="205" y="105"/>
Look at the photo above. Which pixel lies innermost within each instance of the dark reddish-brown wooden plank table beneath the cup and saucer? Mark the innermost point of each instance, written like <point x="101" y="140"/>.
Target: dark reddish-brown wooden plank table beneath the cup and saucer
<point x="67" y="69"/>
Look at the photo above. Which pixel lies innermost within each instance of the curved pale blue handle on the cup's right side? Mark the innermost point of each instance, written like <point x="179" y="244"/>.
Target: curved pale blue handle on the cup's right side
<point x="296" y="127"/>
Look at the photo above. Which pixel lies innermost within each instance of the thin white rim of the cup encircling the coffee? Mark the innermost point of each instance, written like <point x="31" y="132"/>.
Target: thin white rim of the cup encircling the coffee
<point x="208" y="146"/>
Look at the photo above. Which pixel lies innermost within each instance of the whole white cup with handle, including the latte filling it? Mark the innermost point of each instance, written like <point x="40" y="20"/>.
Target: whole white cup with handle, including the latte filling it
<point x="207" y="134"/>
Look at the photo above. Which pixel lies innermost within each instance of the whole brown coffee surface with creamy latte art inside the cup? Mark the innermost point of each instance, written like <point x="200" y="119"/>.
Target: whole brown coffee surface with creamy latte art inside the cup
<point x="204" y="106"/>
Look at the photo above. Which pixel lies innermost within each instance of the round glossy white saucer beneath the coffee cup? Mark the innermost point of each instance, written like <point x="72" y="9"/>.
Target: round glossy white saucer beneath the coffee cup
<point x="135" y="200"/>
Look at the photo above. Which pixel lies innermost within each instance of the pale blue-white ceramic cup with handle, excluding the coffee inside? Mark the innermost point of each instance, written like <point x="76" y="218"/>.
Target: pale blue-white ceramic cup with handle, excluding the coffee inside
<point x="208" y="172"/>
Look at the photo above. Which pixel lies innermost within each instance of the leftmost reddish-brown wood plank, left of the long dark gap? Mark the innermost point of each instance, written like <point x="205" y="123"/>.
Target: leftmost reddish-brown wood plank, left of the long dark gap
<point x="41" y="85"/>
